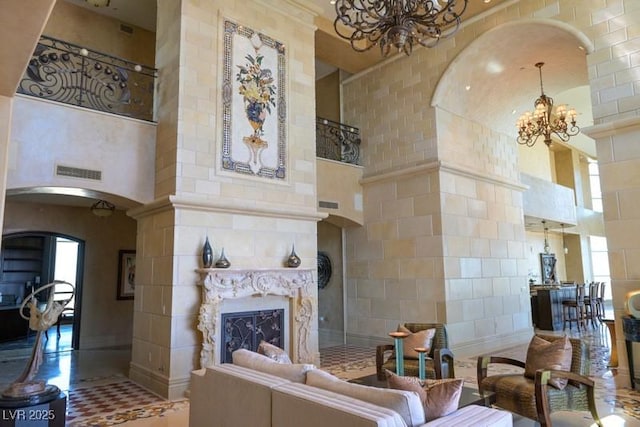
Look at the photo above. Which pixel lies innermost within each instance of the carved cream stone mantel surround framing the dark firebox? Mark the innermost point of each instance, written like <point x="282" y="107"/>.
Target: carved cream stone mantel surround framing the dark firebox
<point x="220" y="284"/>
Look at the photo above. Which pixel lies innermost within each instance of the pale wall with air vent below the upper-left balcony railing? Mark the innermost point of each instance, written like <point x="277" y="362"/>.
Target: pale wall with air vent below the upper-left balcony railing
<point x="121" y="149"/>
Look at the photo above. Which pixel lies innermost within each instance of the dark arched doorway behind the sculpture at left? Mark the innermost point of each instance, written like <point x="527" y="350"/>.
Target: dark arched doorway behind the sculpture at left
<point x="32" y="259"/>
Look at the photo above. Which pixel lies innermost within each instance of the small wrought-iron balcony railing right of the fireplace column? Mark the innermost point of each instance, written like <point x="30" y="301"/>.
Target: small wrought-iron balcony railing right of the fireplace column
<point x="337" y="141"/>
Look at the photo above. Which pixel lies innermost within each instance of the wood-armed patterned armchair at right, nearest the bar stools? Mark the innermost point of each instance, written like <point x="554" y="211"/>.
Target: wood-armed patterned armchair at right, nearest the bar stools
<point x="534" y="398"/>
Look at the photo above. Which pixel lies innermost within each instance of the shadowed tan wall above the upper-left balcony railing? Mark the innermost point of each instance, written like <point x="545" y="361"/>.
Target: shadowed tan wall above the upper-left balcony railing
<point x="85" y="28"/>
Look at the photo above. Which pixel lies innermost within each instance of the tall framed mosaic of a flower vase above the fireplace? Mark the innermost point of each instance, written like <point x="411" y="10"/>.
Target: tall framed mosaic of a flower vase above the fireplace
<point x="254" y="103"/>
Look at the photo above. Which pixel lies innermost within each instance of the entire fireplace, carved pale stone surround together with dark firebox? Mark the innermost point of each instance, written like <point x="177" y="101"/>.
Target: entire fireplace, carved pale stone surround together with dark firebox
<point x="229" y="294"/>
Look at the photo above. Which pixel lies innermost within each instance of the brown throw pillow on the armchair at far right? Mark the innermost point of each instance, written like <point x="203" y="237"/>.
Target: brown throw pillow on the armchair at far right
<point x="543" y="354"/>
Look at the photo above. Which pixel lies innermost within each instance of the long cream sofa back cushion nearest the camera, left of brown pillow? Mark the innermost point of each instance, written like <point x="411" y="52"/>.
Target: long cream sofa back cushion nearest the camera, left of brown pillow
<point x="406" y="403"/>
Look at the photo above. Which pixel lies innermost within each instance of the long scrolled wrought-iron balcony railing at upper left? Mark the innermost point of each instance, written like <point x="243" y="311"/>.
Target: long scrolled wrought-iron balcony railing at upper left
<point x="67" y="73"/>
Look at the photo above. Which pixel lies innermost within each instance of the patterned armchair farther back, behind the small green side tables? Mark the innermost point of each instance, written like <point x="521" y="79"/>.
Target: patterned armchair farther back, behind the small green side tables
<point x="439" y="361"/>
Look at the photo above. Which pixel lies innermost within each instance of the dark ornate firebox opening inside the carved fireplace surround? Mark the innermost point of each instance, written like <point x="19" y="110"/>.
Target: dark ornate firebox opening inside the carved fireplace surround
<point x="248" y="328"/>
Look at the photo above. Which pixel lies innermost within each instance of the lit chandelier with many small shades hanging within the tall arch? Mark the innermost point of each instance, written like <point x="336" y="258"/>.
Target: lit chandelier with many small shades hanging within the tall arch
<point x="545" y="121"/>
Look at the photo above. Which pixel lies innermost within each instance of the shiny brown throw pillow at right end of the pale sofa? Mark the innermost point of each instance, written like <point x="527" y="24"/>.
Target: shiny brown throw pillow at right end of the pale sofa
<point x="439" y="397"/>
